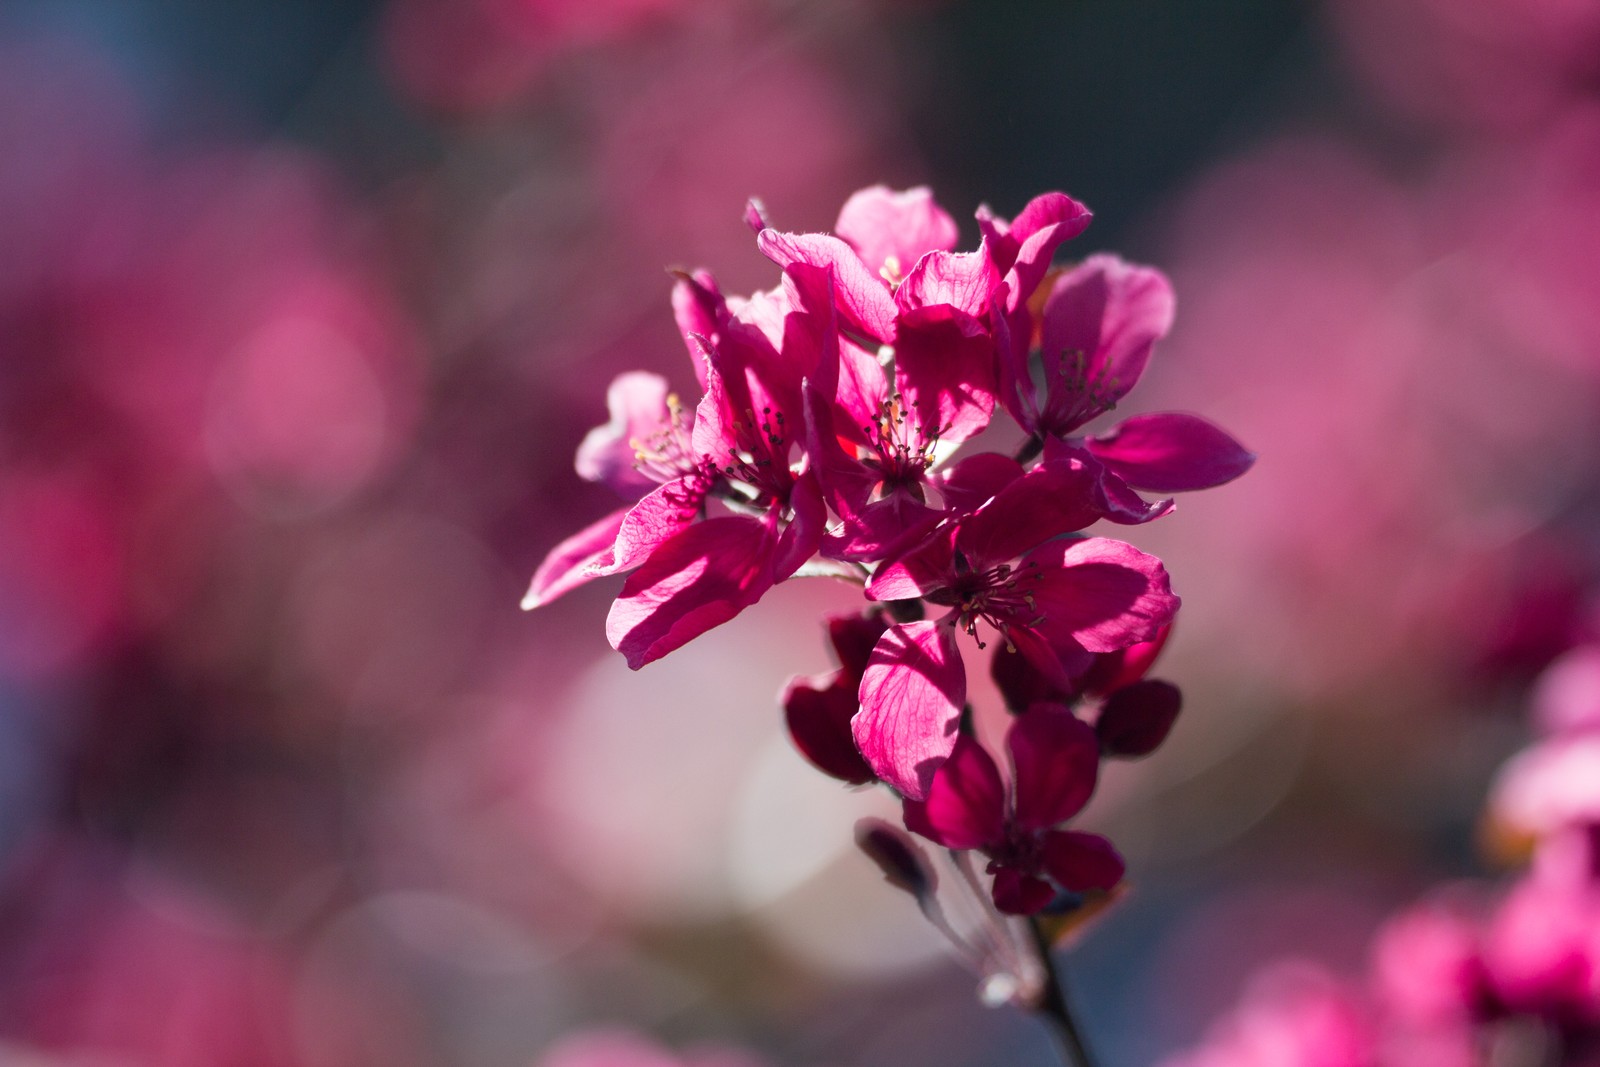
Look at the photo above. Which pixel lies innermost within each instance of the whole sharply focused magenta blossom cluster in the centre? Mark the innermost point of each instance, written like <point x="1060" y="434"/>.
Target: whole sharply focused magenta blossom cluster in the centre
<point x="830" y="441"/>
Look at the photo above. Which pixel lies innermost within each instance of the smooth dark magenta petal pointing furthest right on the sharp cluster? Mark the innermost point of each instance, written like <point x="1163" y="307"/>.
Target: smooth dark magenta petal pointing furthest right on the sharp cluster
<point x="1172" y="452"/>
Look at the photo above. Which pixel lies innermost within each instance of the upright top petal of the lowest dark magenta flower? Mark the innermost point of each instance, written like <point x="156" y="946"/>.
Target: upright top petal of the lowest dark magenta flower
<point x="1057" y="762"/>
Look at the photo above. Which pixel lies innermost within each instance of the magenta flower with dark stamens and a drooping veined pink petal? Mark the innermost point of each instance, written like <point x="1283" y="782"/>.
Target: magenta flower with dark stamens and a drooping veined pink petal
<point x="1092" y="594"/>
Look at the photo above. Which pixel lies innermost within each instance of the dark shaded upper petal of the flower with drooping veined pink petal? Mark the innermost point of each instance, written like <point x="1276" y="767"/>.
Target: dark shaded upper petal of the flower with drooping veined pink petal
<point x="1046" y="503"/>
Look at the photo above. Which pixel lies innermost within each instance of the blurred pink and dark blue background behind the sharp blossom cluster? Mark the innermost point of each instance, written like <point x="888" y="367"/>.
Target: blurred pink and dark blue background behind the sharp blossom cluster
<point x="305" y="306"/>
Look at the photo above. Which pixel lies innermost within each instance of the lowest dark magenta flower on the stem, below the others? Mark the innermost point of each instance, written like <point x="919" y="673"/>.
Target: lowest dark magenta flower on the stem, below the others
<point x="1055" y="761"/>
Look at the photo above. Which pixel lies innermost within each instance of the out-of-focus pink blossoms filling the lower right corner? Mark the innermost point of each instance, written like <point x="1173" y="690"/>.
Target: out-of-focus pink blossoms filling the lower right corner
<point x="1476" y="973"/>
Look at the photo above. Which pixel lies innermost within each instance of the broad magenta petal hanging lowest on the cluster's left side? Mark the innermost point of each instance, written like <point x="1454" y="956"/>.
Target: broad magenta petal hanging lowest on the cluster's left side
<point x="703" y="577"/>
